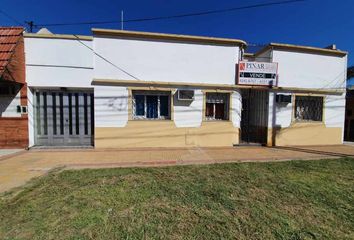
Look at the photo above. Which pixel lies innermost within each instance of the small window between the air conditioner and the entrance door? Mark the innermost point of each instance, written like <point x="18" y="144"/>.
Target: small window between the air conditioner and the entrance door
<point x="217" y="106"/>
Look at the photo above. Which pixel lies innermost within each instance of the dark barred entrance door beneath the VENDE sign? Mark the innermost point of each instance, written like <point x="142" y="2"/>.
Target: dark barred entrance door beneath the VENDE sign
<point x="254" y="116"/>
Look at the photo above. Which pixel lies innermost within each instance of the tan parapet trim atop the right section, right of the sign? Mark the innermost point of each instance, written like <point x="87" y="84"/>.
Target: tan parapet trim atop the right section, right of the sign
<point x="299" y="48"/>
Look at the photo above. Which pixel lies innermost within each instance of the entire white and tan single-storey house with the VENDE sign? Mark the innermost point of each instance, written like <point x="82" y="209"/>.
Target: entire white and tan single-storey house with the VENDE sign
<point x="138" y="89"/>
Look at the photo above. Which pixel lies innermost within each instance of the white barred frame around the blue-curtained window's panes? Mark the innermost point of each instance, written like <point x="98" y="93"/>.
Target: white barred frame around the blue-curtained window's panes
<point x="146" y="93"/>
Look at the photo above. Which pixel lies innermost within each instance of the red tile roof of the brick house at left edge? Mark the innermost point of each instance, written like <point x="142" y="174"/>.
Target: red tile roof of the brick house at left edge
<point x="9" y="36"/>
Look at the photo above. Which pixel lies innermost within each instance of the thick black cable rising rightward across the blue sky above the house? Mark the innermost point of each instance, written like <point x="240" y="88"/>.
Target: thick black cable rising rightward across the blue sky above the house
<point x="175" y="16"/>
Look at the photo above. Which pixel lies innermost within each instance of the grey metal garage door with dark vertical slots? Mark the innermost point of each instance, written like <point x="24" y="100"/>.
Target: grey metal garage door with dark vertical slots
<point x="63" y="118"/>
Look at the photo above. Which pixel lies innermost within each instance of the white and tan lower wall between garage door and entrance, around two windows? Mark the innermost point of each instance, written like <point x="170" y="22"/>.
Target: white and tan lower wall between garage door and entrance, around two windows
<point x="114" y="127"/>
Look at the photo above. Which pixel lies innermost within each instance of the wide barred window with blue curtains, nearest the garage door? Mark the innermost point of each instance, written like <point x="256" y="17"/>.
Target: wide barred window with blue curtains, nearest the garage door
<point x="151" y="105"/>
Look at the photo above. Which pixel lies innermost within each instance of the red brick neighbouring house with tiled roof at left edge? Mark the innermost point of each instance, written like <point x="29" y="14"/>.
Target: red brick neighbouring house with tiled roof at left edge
<point x="13" y="89"/>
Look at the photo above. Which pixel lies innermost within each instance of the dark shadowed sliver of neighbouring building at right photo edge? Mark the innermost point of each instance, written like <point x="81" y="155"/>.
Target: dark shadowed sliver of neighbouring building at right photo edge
<point x="349" y="115"/>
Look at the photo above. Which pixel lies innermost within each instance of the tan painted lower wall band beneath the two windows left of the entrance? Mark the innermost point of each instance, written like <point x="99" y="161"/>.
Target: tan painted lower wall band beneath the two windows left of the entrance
<point x="166" y="134"/>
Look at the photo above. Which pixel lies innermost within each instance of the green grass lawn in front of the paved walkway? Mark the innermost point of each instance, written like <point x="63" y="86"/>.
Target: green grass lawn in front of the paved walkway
<point x="287" y="200"/>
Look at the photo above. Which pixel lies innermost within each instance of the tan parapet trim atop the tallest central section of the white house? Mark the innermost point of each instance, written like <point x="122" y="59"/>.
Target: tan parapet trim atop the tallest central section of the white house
<point x="165" y="36"/>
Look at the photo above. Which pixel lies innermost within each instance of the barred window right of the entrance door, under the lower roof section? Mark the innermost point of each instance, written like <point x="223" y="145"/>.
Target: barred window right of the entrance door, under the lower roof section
<point x="308" y="108"/>
